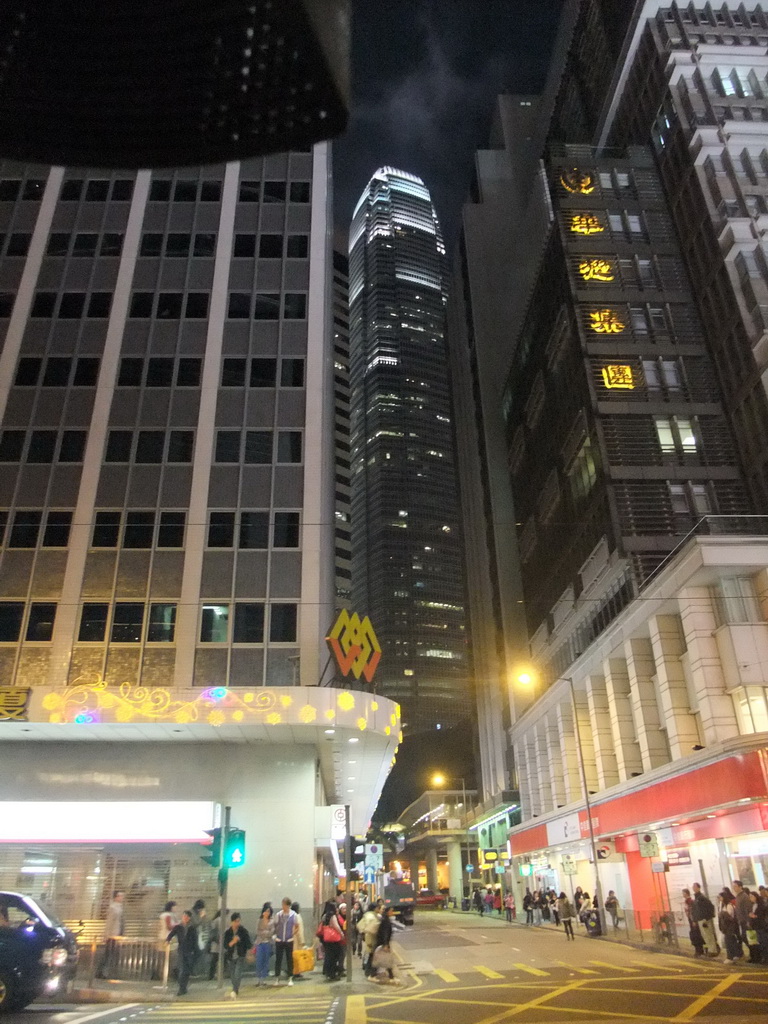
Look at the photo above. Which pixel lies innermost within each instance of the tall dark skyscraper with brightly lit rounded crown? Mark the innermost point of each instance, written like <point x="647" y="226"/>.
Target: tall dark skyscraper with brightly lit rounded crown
<point x="407" y="559"/>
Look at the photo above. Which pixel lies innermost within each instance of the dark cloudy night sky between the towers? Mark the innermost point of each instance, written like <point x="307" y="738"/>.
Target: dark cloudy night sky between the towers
<point x="425" y="78"/>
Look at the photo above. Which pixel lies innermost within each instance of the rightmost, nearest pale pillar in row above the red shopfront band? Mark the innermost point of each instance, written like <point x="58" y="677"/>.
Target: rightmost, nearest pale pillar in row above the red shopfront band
<point x="715" y="707"/>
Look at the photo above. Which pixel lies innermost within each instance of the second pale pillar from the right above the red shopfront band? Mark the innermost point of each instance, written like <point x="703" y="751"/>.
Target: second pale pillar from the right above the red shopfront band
<point x="667" y="638"/>
